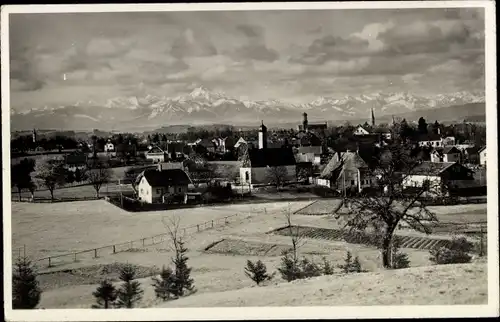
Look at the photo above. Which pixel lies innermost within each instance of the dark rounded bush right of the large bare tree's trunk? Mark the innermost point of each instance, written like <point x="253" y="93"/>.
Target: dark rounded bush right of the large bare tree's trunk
<point x="456" y="252"/>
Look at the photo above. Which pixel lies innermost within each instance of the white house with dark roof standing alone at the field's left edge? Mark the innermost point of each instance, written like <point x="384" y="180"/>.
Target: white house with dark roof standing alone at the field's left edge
<point x="162" y="186"/>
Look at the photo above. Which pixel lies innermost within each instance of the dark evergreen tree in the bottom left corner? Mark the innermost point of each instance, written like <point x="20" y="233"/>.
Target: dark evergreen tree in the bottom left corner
<point x="26" y="292"/>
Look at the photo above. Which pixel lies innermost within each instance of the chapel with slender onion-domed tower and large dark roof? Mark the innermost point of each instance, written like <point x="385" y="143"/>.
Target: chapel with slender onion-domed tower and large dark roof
<point x="258" y="164"/>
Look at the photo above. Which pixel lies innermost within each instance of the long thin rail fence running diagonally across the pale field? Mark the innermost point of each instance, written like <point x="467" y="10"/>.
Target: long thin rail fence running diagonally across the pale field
<point x="97" y="252"/>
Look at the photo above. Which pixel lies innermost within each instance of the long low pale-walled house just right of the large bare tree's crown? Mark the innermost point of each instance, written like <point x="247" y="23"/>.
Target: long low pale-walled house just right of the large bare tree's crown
<point x="439" y="175"/>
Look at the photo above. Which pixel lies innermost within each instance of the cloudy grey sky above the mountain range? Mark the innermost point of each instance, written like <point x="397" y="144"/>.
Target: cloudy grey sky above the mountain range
<point x="293" y="56"/>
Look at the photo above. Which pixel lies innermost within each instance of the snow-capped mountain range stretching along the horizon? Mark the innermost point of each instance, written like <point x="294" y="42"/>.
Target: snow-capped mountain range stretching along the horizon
<point x="202" y="106"/>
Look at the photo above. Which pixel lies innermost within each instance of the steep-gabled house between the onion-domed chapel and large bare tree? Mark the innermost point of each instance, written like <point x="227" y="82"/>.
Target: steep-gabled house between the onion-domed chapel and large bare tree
<point x="346" y="171"/>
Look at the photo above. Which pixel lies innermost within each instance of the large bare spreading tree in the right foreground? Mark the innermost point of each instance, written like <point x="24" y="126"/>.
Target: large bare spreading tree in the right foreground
<point x="384" y="211"/>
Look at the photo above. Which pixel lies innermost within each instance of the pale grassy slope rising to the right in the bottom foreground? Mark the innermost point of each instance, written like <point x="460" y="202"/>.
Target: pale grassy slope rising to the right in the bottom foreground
<point x="441" y="285"/>
